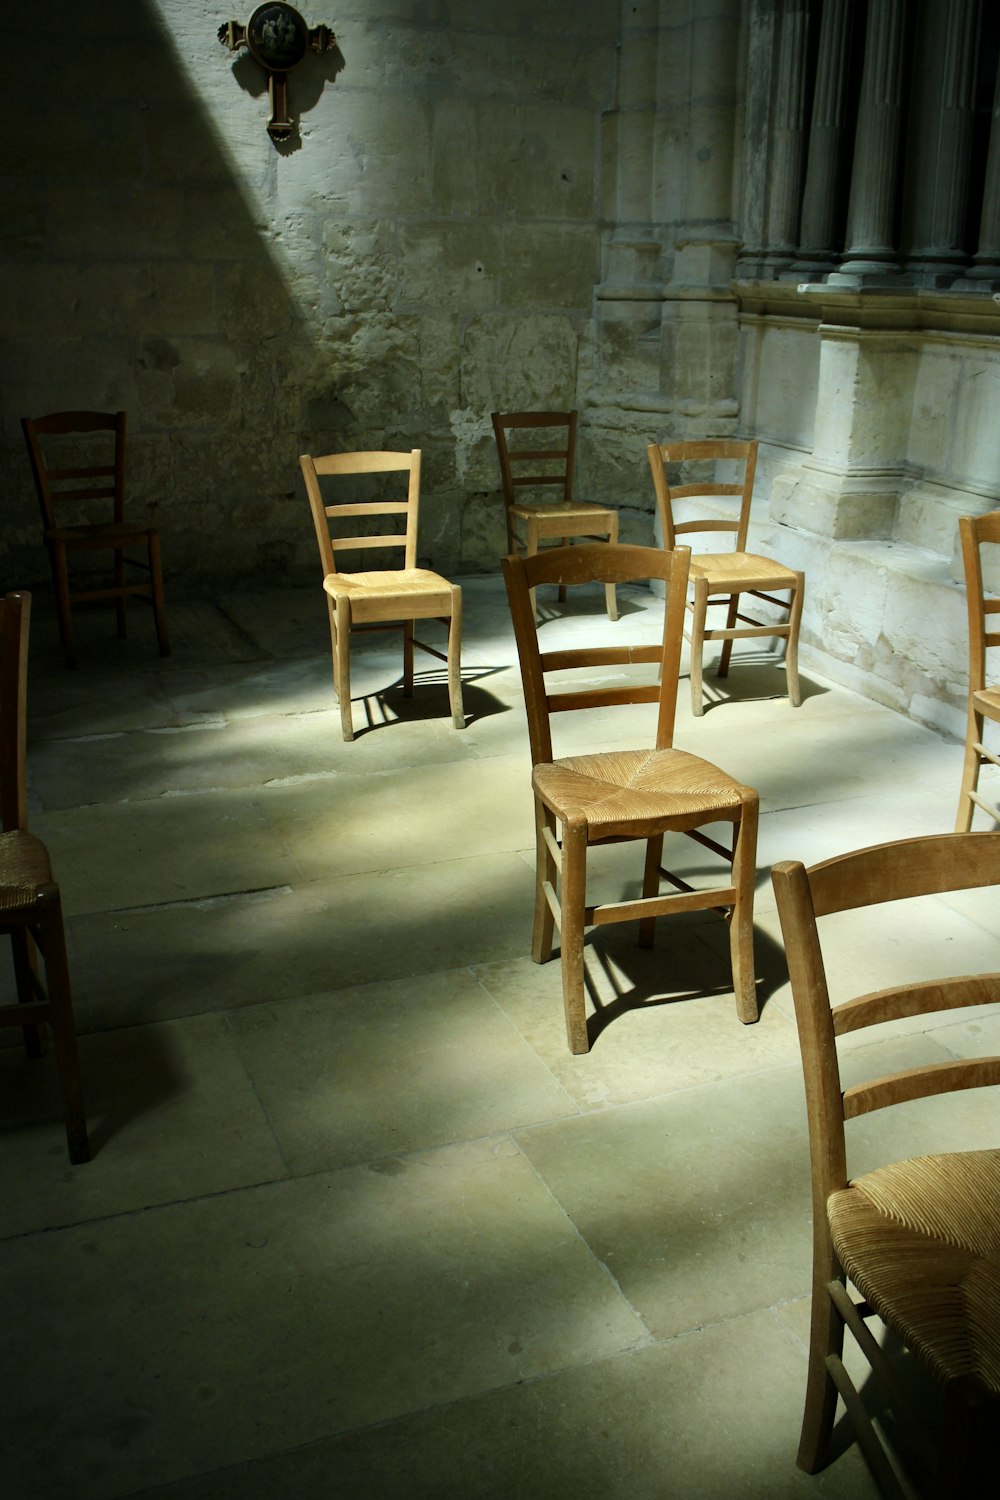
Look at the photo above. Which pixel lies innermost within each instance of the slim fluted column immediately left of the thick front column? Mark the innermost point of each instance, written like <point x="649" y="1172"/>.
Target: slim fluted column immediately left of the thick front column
<point x="822" y="205"/>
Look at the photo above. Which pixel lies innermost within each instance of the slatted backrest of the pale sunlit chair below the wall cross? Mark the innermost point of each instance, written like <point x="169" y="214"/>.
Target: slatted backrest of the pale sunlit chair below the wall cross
<point x="406" y="511"/>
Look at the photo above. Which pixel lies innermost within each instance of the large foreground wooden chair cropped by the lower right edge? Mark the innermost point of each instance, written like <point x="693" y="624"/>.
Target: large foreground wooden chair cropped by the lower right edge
<point x="920" y="1240"/>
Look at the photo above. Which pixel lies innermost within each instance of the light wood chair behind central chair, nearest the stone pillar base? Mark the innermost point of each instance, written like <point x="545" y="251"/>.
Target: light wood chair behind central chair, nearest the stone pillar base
<point x="723" y="578"/>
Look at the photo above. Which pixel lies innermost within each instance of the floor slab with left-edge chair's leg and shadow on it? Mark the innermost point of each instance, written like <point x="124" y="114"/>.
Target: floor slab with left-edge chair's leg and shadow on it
<point x="172" y="1115"/>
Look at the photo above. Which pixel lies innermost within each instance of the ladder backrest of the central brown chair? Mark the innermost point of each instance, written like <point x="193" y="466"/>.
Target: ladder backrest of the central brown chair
<point x="590" y="563"/>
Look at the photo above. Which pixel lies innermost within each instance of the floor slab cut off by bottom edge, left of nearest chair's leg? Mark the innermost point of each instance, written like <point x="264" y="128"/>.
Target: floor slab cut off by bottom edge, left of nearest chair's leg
<point x="642" y="1426"/>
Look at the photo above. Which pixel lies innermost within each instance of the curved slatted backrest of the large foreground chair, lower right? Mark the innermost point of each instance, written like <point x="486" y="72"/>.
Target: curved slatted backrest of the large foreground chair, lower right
<point x="881" y="874"/>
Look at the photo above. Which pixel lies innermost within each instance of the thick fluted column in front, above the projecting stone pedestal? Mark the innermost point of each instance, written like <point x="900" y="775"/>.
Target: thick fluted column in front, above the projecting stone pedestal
<point x="875" y="178"/>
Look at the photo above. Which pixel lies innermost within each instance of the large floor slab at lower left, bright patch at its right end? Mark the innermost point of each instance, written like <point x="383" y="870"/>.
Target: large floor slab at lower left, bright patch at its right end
<point x="229" y="1328"/>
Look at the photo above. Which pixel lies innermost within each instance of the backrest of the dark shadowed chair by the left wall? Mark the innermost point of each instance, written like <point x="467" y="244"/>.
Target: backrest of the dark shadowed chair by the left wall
<point x="77" y="457"/>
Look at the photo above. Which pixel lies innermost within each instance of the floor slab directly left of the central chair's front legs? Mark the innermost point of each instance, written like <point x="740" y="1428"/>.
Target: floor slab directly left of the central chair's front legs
<point x="442" y="1060"/>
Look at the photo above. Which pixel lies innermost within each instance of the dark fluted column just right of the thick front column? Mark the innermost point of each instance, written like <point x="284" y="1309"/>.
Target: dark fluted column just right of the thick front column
<point x="941" y="251"/>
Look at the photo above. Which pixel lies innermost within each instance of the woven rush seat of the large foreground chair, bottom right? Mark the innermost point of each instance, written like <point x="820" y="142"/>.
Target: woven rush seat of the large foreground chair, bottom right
<point x="921" y="1241"/>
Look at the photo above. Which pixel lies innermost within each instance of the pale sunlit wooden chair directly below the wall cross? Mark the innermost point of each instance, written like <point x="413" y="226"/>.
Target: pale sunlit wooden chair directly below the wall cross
<point x="382" y="601"/>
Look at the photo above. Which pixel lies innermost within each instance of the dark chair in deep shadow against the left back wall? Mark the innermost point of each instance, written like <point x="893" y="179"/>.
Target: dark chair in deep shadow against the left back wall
<point x="83" y="478"/>
